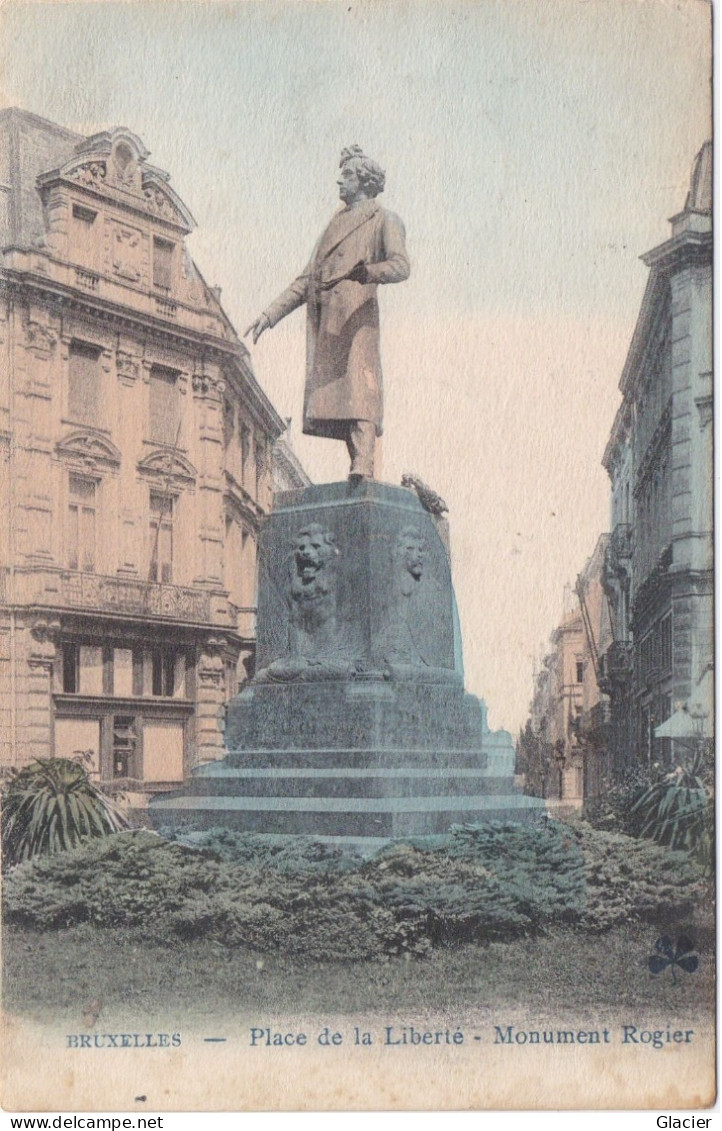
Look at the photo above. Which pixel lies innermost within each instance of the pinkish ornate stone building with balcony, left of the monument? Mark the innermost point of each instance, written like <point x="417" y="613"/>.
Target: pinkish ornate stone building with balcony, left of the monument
<point x="137" y="465"/>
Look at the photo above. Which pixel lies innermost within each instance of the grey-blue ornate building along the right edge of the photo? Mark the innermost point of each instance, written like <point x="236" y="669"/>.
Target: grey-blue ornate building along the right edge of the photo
<point x="659" y="573"/>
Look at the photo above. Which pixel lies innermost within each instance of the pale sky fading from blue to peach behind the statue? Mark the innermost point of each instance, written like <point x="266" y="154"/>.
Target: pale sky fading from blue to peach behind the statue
<point x="535" y="151"/>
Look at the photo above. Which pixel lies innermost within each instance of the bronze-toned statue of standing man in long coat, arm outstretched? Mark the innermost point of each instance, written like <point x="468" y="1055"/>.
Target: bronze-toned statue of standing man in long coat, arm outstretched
<point x="364" y="246"/>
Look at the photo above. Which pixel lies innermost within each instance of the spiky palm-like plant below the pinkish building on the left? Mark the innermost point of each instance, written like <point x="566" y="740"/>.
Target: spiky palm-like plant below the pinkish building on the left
<point x="53" y="806"/>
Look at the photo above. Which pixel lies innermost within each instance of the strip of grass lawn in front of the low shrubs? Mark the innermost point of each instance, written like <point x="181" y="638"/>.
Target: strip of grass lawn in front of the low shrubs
<point x="57" y="975"/>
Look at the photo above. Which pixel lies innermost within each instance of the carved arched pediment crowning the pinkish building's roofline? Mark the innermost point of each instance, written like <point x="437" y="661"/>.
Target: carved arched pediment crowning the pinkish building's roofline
<point x="114" y="165"/>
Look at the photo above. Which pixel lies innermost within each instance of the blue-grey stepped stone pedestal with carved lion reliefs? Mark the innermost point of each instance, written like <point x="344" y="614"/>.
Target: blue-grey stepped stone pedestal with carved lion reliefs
<point x="357" y="724"/>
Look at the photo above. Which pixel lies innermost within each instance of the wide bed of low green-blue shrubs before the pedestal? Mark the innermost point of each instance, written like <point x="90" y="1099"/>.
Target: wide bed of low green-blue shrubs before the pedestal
<point x="485" y="883"/>
